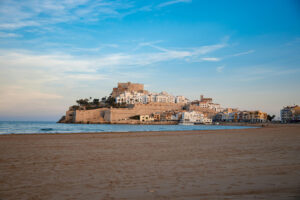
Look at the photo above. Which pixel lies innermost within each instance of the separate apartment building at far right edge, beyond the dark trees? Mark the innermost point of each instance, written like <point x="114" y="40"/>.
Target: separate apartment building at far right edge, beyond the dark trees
<point x="290" y="114"/>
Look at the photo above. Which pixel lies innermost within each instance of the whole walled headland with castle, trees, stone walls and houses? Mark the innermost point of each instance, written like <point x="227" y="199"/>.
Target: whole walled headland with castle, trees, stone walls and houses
<point x="130" y="103"/>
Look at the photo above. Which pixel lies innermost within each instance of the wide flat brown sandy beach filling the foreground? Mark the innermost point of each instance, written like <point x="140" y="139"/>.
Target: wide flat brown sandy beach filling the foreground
<point x="261" y="163"/>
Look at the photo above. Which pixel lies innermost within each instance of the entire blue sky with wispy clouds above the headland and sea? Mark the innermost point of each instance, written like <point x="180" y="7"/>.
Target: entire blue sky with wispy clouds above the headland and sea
<point x="243" y="54"/>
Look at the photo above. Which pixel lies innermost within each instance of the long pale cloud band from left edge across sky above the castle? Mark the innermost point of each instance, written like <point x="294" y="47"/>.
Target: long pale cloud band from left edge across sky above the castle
<point x="68" y="62"/>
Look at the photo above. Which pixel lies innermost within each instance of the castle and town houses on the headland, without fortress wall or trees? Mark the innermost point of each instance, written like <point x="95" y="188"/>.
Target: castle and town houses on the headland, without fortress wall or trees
<point x="202" y="111"/>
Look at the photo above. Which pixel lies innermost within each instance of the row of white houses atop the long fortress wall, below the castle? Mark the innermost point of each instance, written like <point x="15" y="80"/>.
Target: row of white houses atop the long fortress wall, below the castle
<point x="144" y="98"/>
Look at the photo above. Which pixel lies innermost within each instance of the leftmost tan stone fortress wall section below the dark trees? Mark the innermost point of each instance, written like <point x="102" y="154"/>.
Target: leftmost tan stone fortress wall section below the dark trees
<point x="90" y="116"/>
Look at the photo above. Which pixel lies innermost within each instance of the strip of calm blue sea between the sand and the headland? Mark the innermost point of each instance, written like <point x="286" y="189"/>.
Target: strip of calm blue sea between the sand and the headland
<point x="52" y="127"/>
